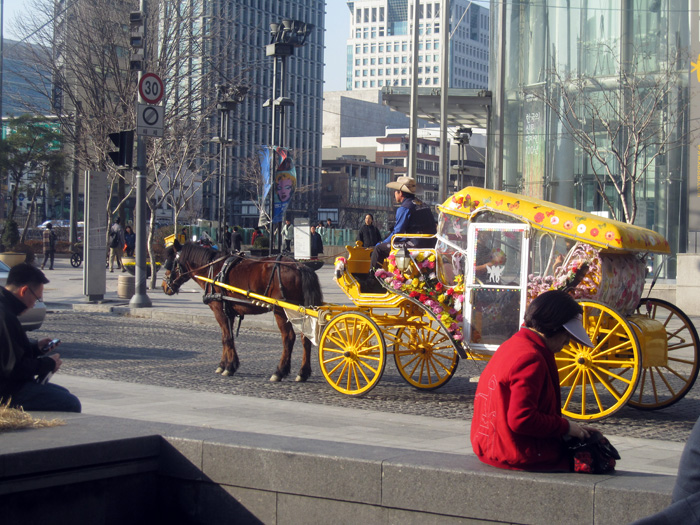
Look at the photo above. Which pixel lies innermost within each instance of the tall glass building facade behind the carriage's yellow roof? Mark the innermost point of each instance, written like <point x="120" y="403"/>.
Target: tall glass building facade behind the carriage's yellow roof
<point x="602" y="66"/>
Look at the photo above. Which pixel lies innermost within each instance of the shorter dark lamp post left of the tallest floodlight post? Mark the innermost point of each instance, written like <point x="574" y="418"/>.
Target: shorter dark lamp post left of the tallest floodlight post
<point x="228" y="98"/>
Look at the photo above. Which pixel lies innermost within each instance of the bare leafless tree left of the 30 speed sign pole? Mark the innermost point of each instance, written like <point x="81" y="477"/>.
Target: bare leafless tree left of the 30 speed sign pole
<point x="81" y="67"/>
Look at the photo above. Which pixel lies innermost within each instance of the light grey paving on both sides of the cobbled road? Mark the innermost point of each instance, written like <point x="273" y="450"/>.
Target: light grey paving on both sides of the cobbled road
<point x="274" y="417"/>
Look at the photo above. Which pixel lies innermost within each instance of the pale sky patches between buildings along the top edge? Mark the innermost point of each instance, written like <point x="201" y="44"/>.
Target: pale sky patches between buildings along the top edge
<point x="337" y="31"/>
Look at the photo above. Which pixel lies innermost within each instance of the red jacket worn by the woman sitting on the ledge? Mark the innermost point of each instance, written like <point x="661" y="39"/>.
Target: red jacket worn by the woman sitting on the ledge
<point x="517" y="421"/>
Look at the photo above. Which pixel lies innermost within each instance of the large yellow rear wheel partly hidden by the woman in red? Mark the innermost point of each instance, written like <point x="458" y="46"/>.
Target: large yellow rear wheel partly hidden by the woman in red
<point x="597" y="382"/>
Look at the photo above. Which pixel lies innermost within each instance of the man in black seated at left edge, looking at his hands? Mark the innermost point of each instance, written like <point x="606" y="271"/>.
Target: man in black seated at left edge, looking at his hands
<point x="22" y="361"/>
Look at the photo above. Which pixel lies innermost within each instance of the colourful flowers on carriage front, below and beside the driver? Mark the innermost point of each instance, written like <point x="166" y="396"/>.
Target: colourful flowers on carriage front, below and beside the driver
<point x="423" y="285"/>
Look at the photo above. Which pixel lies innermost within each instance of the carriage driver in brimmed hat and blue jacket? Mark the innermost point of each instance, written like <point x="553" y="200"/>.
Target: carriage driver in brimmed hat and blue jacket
<point x="412" y="216"/>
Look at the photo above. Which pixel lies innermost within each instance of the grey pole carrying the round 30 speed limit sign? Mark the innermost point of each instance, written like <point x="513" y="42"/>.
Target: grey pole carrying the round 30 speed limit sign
<point x="140" y="299"/>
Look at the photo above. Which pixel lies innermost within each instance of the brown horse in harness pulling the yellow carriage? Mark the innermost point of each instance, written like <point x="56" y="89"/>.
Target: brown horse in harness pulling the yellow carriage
<point x="281" y="278"/>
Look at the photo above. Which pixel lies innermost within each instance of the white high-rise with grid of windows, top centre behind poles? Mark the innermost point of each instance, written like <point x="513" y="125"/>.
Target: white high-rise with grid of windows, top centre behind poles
<point x="380" y="52"/>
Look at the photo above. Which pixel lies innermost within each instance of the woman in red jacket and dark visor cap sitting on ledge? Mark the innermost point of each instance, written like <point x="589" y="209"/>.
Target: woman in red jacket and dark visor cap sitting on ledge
<point x="517" y="420"/>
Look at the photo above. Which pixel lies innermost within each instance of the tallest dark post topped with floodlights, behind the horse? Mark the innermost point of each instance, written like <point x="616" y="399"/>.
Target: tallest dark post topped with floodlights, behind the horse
<point x="285" y="36"/>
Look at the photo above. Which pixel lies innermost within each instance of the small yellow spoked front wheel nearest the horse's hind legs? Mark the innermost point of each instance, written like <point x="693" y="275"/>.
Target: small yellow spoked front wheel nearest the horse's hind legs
<point x="352" y="353"/>
